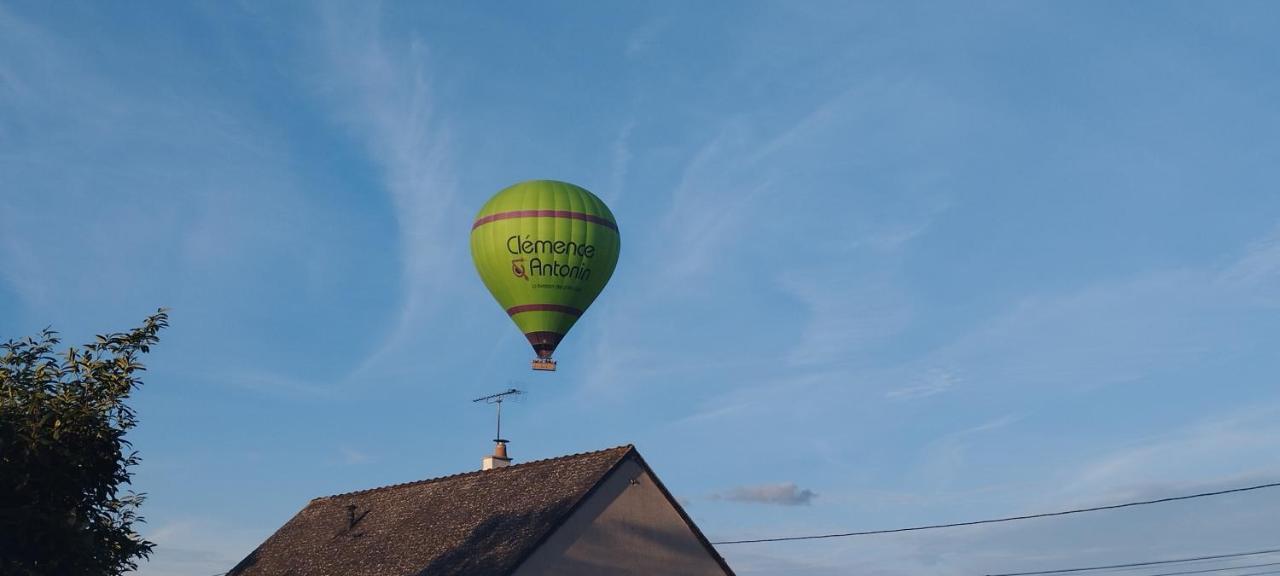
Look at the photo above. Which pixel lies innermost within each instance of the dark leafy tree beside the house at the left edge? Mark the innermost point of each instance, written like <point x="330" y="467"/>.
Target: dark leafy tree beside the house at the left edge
<point x="65" y="460"/>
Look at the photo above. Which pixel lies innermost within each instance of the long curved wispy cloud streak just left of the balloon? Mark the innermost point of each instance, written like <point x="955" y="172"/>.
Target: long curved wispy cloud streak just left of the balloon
<point x="382" y="92"/>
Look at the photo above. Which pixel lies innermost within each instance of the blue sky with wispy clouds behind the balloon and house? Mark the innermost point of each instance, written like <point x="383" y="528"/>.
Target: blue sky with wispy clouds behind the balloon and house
<point x="927" y="262"/>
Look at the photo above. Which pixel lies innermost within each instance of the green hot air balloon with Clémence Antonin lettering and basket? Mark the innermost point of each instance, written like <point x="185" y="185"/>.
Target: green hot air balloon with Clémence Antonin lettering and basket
<point x="546" y="250"/>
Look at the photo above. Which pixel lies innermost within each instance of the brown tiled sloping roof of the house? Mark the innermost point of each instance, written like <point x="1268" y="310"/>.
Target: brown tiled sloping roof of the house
<point x="468" y="524"/>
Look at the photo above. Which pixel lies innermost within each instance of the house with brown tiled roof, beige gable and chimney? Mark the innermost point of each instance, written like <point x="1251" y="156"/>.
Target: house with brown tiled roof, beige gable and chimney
<point x="593" y="514"/>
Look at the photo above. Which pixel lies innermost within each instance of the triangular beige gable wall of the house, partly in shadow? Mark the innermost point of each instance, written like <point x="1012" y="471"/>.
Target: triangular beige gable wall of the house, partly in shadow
<point x="627" y="528"/>
